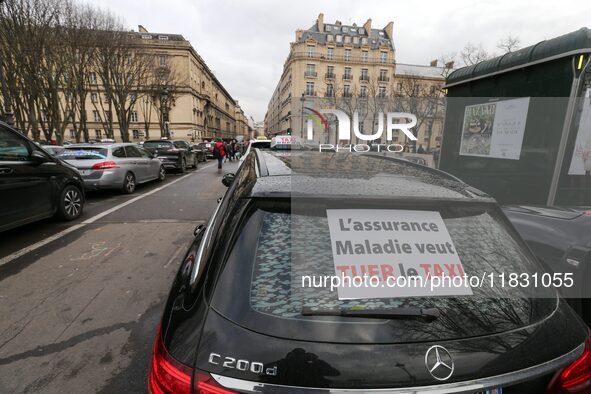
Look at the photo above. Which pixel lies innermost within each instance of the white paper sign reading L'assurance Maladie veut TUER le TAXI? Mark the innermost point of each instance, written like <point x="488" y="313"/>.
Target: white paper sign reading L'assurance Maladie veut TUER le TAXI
<point x="390" y="244"/>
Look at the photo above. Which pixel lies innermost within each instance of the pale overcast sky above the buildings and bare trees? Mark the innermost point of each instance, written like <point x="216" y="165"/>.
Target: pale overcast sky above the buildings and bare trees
<point x="246" y="42"/>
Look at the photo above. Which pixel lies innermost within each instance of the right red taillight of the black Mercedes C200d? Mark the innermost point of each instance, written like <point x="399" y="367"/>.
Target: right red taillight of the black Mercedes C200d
<point x="576" y="377"/>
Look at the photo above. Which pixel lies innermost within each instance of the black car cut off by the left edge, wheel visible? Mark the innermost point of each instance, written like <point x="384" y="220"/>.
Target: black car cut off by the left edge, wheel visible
<point x="34" y="185"/>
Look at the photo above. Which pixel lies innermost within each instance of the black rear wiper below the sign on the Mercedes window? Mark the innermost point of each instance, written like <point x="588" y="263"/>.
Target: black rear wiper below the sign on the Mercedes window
<point x="426" y="314"/>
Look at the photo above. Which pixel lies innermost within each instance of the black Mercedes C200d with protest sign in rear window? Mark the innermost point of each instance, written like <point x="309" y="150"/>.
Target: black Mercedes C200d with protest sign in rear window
<point x="240" y="319"/>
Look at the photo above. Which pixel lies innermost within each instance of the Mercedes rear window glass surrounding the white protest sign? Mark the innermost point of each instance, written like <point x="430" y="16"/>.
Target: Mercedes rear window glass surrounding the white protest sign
<point x="276" y="248"/>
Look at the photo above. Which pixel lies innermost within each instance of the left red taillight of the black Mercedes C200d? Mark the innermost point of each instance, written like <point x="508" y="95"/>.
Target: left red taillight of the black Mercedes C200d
<point x="167" y="376"/>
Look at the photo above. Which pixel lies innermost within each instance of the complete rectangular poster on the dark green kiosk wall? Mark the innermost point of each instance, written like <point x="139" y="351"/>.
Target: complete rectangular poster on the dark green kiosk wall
<point x="494" y="129"/>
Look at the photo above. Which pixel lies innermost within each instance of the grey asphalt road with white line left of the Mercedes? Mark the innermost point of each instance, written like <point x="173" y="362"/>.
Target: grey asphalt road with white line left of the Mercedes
<point x="79" y="313"/>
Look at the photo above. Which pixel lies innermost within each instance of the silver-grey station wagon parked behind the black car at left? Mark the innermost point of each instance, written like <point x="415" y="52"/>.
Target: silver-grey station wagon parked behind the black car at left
<point x="114" y="166"/>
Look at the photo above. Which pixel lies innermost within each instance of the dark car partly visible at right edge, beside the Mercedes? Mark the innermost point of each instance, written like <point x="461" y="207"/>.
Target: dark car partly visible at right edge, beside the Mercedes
<point x="561" y="239"/>
